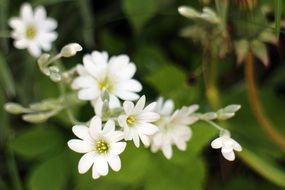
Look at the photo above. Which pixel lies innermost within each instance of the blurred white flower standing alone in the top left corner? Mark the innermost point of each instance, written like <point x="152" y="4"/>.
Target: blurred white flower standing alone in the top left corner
<point x="33" y="30"/>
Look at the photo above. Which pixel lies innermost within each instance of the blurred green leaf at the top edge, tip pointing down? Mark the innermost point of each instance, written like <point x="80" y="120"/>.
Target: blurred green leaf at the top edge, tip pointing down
<point x="139" y="12"/>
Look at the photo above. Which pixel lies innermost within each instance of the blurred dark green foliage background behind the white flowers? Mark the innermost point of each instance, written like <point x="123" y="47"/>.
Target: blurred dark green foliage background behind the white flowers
<point x="36" y="156"/>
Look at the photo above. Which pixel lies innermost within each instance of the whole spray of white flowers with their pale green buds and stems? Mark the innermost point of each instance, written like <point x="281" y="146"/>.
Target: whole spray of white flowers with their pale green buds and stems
<point x="121" y="114"/>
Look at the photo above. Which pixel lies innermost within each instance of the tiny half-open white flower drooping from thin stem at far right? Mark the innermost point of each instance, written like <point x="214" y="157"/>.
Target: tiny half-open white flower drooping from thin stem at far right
<point x="227" y="144"/>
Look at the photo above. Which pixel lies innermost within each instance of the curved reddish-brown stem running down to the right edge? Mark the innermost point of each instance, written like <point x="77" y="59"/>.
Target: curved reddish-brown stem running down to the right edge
<point x="256" y="105"/>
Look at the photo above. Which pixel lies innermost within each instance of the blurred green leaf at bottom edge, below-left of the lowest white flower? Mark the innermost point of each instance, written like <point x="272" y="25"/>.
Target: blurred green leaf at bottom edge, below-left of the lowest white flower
<point x="50" y="175"/>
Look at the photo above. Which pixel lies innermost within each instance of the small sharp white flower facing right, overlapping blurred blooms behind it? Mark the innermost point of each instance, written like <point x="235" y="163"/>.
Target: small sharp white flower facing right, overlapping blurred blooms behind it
<point x="136" y="121"/>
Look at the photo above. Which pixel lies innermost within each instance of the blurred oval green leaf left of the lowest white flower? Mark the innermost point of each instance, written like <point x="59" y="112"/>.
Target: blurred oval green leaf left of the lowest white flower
<point x="37" y="142"/>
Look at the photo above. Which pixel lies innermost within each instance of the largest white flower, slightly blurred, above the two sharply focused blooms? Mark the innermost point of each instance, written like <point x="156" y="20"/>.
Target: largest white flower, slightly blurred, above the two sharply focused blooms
<point x="100" y="73"/>
